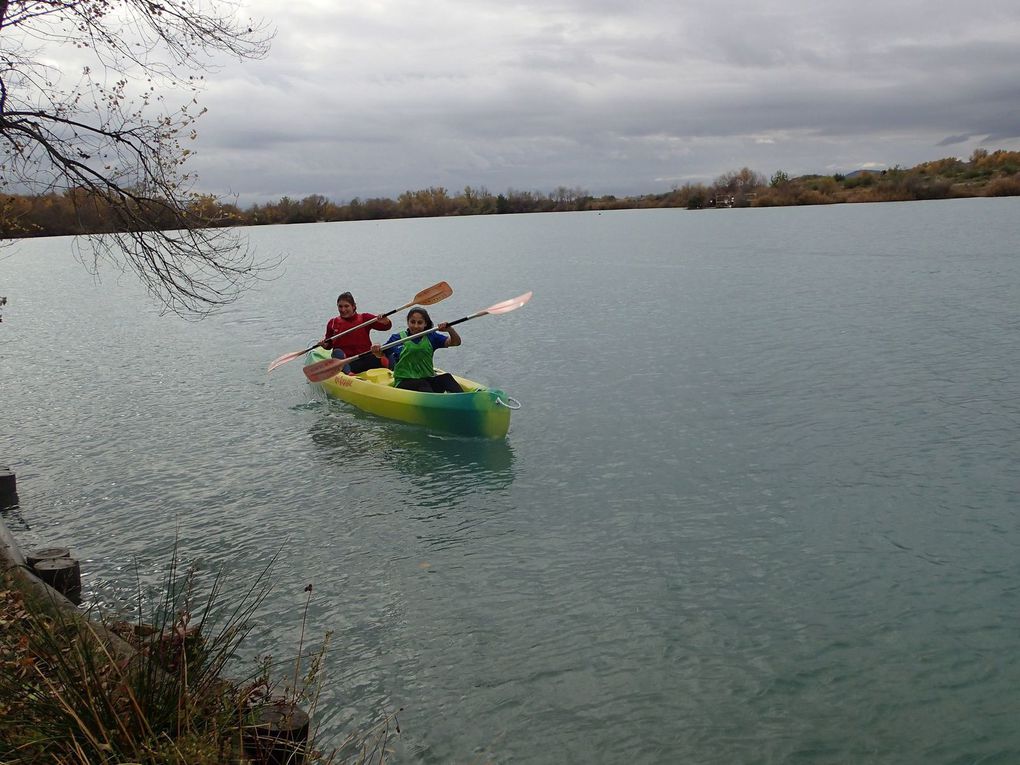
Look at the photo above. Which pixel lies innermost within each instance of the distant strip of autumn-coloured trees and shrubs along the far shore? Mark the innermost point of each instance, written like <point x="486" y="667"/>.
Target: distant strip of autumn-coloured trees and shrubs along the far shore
<point x="986" y="174"/>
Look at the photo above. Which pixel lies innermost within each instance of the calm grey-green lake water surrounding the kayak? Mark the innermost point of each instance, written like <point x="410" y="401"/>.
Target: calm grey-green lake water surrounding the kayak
<point x="760" y="506"/>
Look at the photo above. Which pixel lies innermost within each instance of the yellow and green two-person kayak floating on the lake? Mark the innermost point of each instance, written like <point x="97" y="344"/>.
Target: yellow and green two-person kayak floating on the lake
<point x="480" y="412"/>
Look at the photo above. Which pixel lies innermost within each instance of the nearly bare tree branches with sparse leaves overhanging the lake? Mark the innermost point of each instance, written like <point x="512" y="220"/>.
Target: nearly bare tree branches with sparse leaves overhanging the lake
<point x="106" y="137"/>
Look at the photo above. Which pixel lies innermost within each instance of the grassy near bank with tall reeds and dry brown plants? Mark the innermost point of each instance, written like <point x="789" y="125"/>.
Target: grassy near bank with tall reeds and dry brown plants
<point x="80" y="688"/>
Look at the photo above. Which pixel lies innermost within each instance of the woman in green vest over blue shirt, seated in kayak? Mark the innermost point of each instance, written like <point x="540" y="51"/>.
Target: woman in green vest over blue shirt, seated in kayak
<point x="413" y="362"/>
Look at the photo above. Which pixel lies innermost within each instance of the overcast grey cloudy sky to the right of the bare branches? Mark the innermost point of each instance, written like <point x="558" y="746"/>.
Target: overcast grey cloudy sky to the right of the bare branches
<point x="376" y="97"/>
